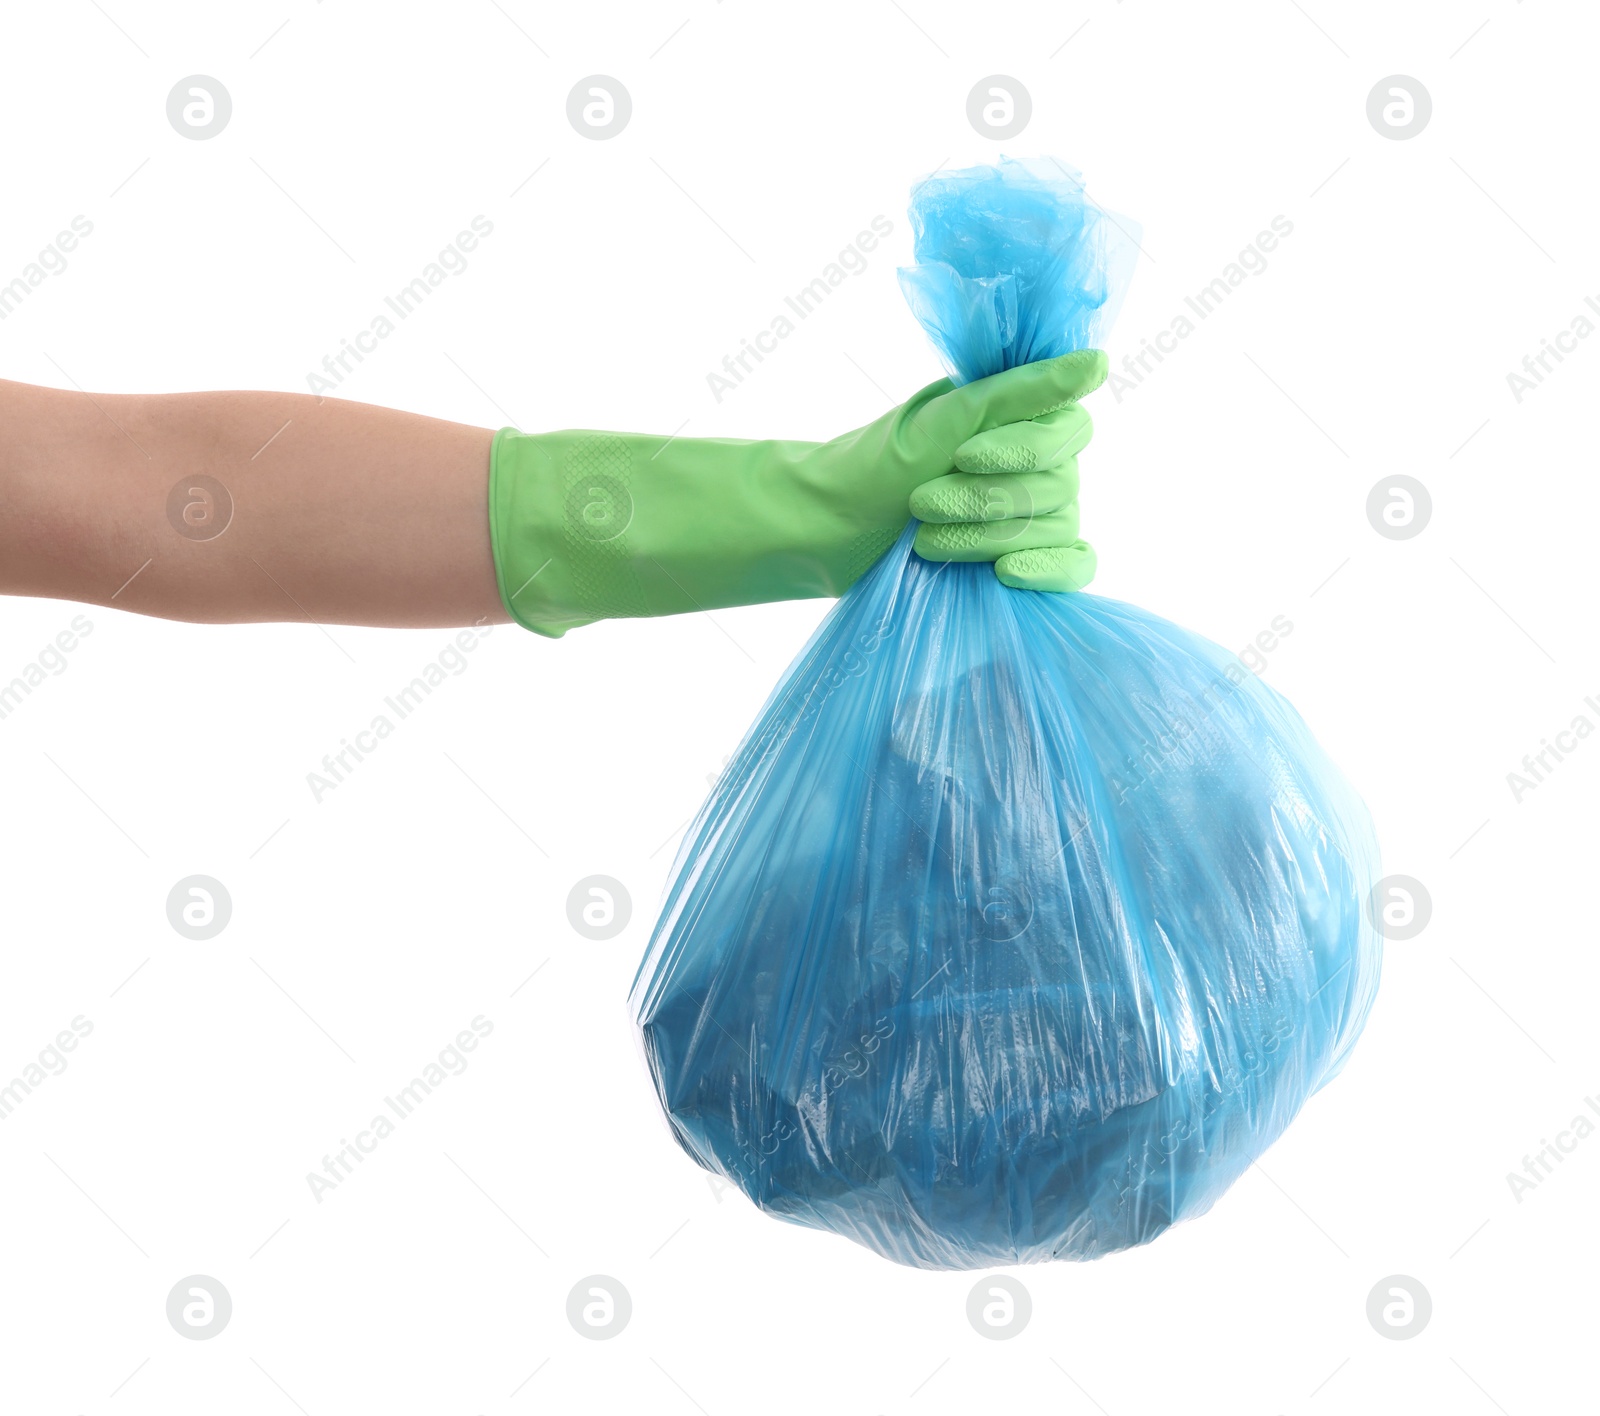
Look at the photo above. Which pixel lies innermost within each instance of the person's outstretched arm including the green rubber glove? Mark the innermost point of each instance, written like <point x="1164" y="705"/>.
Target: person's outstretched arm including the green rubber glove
<point x="233" y="508"/>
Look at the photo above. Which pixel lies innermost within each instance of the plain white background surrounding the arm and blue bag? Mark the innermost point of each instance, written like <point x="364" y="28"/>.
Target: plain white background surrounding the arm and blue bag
<point x="369" y="929"/>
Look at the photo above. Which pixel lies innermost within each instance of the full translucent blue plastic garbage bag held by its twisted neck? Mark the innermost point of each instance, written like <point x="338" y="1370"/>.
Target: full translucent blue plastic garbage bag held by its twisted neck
<point x="1022" y="924"/>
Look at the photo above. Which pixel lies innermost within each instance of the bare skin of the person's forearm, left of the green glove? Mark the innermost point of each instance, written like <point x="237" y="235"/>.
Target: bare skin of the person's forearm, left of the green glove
<point x="230" y="508"/>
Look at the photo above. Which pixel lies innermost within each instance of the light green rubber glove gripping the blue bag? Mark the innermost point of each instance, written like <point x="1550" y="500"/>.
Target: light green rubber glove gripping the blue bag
<point x="604" y="526"/>
